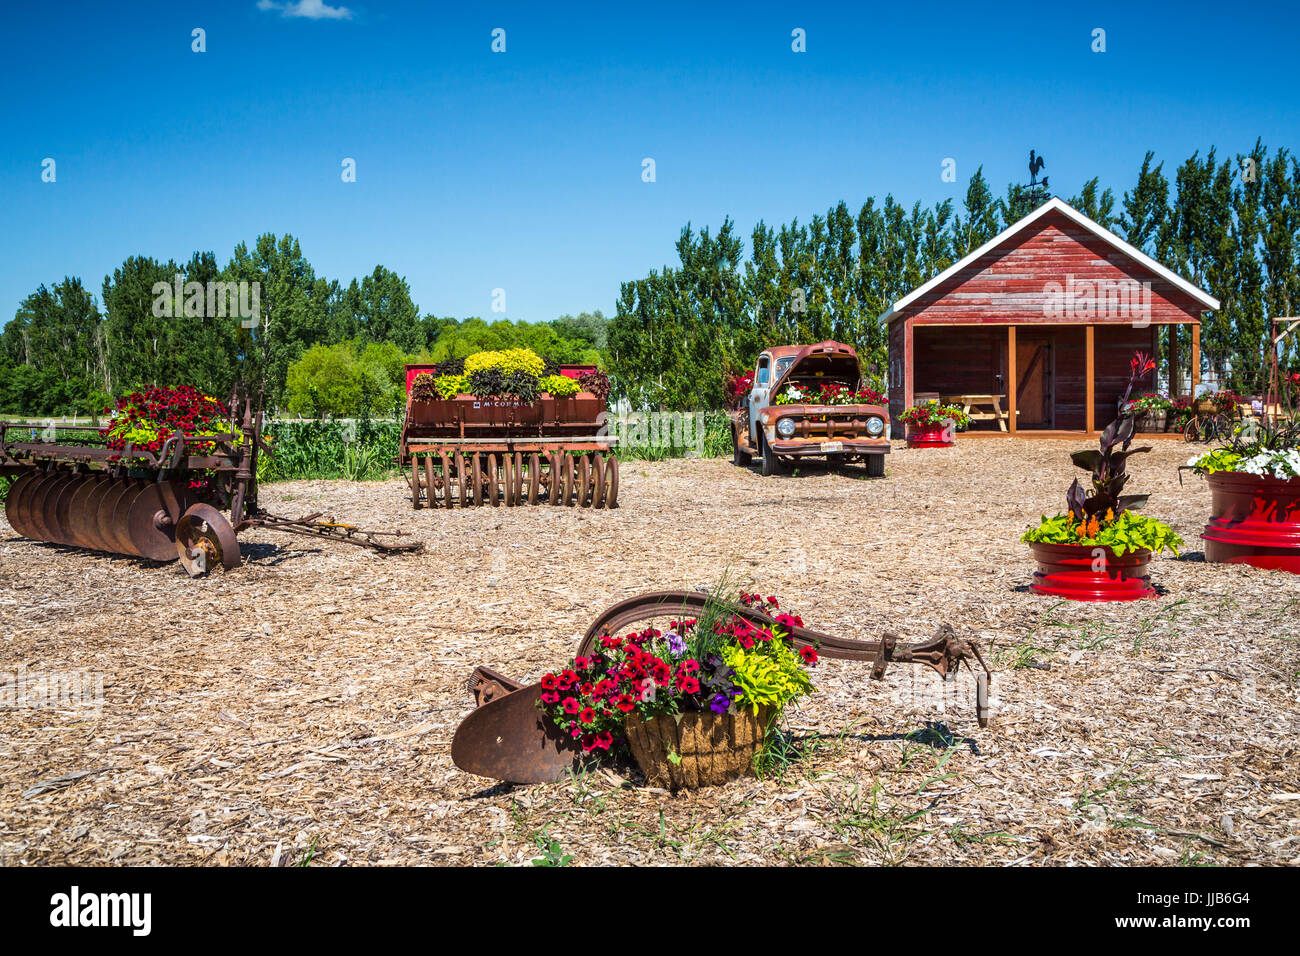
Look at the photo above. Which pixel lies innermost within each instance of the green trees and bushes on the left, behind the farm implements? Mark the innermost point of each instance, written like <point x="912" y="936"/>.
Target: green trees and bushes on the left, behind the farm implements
<point x="68" y="353"/>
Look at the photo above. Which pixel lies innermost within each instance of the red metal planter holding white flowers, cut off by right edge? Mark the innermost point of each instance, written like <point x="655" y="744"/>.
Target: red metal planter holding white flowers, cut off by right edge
<point x="1255" y="521"/>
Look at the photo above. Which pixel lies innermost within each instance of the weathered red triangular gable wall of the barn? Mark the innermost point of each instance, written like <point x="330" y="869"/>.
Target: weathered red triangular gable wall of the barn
<point x="1007" y="285"/>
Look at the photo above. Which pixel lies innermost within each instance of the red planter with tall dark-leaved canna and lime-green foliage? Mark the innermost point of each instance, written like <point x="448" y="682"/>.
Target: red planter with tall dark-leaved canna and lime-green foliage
<point x="1100" y="548"/>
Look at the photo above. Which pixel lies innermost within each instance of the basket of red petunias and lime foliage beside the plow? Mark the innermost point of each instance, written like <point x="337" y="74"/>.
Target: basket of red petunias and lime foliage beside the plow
<point x="694" y="704"/>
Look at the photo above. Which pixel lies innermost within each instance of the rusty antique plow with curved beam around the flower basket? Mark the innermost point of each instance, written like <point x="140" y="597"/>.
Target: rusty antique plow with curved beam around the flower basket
<point x="508" y="738"/>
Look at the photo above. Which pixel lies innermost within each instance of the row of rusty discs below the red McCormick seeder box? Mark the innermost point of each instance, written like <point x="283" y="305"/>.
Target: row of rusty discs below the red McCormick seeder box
<point x="448" y="479"/>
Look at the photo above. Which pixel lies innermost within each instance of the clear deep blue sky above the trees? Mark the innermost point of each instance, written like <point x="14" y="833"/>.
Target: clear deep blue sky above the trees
<point x="522" y="171"/>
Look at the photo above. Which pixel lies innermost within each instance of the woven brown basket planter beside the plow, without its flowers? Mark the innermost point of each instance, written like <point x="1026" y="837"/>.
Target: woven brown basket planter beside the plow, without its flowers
<point x="708" y="749"/>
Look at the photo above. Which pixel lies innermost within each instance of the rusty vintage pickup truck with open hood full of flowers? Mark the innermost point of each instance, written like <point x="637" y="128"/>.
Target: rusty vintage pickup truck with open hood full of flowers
<point x="809" y="400"/>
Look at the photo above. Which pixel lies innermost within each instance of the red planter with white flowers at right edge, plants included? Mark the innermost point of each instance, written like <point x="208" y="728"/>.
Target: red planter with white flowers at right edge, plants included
<point x="1255" y="505"/>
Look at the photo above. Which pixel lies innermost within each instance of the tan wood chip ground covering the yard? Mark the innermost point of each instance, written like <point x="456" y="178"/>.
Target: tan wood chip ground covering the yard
<point x="301" y="710"/>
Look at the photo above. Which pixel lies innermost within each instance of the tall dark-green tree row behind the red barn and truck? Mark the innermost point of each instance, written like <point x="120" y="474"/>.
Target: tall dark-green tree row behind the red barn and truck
<point x="1228" y="226"/>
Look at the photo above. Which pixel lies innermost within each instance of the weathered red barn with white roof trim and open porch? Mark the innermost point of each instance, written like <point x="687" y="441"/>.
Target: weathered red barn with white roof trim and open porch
<point x="1035" y="328"/>
